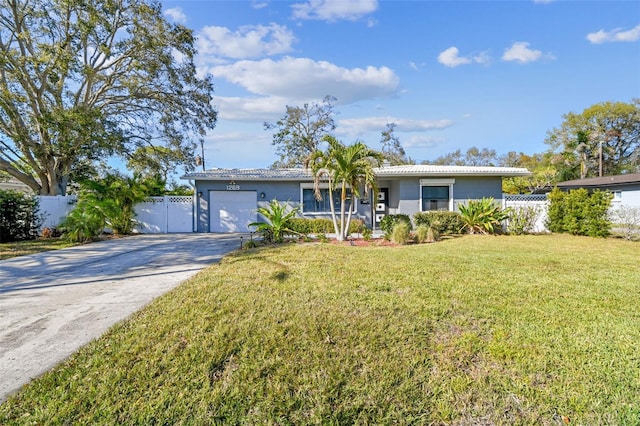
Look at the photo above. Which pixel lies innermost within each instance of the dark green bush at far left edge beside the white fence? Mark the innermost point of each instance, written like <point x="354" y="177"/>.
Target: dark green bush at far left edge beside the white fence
<point x="19" y="218"/>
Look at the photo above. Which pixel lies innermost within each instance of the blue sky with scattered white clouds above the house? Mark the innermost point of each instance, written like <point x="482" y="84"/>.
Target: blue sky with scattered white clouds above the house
<point x="450" y="74"/>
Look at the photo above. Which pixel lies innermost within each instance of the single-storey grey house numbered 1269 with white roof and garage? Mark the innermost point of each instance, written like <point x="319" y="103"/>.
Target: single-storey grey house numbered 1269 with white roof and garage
<point x="227" y="199"/>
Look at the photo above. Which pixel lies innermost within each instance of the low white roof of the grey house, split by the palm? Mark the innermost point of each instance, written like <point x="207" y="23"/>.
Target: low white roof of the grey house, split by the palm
<point x="297" y="174"/>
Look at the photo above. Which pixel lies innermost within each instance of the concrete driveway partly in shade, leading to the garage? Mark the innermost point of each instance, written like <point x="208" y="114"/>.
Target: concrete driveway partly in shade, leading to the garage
<point x="53" y="303"/>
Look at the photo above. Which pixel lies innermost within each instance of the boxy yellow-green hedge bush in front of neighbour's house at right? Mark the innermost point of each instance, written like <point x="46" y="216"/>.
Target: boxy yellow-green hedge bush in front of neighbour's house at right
<point x="578" y="212"/>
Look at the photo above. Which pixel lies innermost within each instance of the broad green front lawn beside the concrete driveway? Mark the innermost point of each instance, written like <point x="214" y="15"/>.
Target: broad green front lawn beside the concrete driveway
<point x="471" y="330"/>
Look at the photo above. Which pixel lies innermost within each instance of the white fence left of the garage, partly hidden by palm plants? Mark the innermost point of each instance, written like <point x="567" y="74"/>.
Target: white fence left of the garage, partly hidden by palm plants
<point x="156" y="215"/>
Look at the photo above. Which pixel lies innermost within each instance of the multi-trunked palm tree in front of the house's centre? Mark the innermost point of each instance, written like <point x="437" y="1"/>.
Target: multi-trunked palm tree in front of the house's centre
<point x="345" y="168"/>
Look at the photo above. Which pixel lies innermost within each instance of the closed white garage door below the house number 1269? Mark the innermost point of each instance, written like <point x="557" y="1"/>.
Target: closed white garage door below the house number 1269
<point x="232" y="211"/>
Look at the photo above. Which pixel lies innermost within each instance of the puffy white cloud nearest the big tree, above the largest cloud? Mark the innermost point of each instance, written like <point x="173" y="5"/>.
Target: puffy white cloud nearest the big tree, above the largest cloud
<point x="247" y="42"/>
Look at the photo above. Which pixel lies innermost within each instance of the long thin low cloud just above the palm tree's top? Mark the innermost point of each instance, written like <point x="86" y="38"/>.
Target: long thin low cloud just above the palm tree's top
<point x="357" y="126"/>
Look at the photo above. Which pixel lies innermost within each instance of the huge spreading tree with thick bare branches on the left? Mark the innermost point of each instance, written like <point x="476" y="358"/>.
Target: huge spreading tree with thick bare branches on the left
<point x="84" y="80"/>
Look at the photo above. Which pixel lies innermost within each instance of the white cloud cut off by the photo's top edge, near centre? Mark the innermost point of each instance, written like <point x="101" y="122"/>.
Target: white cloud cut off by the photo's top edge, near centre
<point x="334" y="10"/>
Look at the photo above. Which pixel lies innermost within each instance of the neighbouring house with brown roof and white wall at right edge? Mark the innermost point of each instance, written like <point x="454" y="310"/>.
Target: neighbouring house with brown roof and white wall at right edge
<point x="625" y="188"/>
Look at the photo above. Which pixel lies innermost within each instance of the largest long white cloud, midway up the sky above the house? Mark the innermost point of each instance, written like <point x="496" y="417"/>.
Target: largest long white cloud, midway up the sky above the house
<point x="302" y="78"/>
